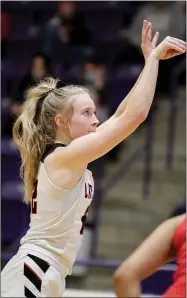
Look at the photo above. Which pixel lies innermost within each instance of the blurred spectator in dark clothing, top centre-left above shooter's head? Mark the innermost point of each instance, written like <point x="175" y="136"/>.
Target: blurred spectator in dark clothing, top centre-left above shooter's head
<point x="65" y="28"/>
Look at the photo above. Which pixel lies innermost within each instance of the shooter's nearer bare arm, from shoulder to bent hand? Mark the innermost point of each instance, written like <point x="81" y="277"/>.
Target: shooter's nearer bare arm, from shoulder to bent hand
<point x="89" y="147"/>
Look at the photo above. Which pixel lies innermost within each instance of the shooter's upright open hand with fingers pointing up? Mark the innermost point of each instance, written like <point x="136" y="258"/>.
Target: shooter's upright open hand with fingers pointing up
<point x="148" y="44"/>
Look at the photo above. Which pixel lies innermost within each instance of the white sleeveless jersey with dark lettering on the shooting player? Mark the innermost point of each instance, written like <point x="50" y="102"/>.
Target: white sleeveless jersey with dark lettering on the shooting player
<point x="58" y="216"/>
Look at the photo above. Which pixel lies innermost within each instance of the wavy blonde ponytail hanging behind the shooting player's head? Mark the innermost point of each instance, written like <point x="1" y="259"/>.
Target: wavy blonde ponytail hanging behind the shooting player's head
<point x="29" y="138"/>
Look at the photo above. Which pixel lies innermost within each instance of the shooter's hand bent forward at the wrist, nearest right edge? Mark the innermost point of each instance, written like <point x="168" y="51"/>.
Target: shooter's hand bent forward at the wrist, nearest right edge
<point x="169" y="48"/>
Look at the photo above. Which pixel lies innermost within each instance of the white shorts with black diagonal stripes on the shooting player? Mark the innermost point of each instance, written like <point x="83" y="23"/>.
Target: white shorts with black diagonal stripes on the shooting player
<point x="26" y="275"/>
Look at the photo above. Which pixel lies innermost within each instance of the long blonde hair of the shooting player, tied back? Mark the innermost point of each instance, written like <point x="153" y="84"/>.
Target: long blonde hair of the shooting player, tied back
<point x="35" y="128"/>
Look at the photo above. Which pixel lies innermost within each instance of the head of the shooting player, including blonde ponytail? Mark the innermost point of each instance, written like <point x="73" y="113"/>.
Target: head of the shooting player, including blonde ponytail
<point x="51" y="113"/>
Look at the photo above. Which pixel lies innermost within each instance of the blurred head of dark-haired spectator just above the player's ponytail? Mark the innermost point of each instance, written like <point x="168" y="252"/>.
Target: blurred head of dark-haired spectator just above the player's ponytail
<point x="40" y="66"/>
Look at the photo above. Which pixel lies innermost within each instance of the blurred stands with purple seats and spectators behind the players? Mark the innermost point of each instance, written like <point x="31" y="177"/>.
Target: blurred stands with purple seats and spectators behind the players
<point x="142" y="181"/>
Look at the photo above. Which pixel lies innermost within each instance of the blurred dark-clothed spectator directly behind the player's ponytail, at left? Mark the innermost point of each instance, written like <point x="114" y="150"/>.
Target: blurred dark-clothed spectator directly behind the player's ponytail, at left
<point x="40" y="68"/>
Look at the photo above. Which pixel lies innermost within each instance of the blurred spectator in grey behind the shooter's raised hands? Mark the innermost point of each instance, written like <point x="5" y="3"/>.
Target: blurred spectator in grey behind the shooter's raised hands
<point x="167" y="17"/>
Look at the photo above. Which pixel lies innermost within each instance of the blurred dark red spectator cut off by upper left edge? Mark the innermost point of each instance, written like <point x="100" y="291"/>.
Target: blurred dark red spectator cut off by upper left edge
<point x="5" y="30"/>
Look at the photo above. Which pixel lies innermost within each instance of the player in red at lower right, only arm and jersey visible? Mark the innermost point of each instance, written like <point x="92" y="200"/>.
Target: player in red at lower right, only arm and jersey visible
<point x="166" y="243"/>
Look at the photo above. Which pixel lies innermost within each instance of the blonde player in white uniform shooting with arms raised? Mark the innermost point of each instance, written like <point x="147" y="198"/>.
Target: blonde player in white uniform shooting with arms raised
<point x="57" y="136"/>
